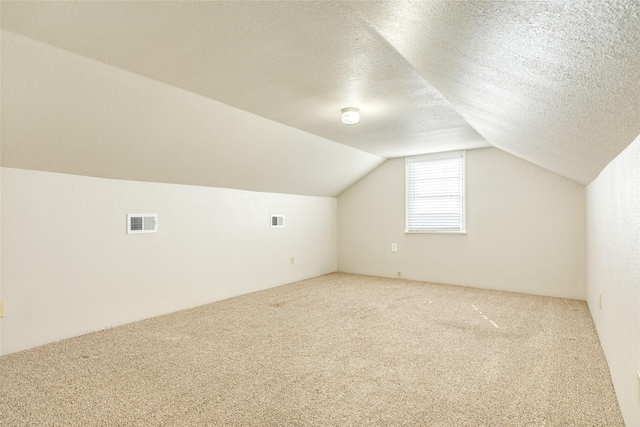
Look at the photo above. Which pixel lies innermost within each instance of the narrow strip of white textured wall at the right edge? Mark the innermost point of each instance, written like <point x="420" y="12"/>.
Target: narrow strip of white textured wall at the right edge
<point x="613" y="271"/>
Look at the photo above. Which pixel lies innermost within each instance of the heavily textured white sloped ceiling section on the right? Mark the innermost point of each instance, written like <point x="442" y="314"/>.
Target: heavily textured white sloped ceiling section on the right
<point x="554" y="82"/>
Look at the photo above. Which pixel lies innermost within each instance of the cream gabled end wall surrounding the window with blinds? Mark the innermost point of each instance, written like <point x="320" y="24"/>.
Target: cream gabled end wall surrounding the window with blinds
<point x="525" y="229"/>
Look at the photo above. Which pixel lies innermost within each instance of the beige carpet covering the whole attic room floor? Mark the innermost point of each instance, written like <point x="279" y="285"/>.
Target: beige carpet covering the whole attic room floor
<point x="337" y="350"/>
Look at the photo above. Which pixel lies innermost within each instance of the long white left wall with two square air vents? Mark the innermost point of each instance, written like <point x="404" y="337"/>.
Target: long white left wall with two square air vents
<point x="68" y="266"/>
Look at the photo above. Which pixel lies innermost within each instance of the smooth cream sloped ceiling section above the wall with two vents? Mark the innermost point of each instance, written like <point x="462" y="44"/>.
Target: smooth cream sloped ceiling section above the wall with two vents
<point x="69" y="114"/>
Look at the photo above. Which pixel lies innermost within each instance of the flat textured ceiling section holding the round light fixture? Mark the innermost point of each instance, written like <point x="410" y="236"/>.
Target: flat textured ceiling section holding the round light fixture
<point x="298" y="63"/>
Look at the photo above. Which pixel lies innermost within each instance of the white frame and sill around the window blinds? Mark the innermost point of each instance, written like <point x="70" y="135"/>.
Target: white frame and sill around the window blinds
<point x="461" y="154"/>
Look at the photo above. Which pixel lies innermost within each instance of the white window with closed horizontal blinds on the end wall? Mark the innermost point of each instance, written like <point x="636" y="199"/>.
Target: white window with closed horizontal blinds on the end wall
<point x="435" y="193"/>
